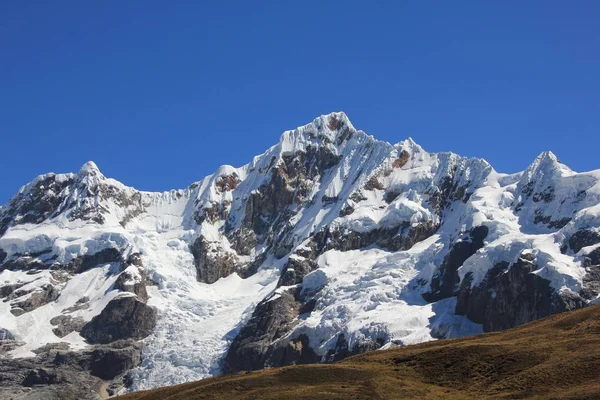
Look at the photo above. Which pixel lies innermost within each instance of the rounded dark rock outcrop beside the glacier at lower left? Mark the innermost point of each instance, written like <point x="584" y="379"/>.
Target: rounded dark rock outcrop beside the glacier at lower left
<point x="122" y="318"/>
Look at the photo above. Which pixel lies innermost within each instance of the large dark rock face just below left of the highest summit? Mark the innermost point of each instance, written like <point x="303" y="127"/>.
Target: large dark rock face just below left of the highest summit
<point x="266" y="216"/>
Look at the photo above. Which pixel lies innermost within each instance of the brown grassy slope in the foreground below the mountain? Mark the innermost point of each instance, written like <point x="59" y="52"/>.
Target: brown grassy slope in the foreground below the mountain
<point x="554" y="358"/>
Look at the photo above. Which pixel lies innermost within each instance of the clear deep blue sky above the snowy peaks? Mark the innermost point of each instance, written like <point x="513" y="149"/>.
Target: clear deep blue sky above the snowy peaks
<point x="160" y="94"/>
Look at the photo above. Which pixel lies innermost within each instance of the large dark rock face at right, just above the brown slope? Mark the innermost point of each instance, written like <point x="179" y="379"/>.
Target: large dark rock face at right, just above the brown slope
<point x="511" y="295"/>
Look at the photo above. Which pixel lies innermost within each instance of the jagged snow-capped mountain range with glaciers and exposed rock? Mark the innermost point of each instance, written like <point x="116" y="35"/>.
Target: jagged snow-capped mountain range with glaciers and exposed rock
<point x="328" y="244"/>
